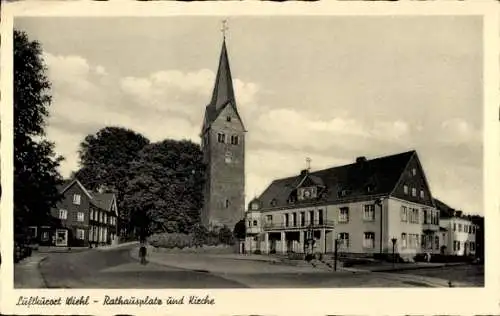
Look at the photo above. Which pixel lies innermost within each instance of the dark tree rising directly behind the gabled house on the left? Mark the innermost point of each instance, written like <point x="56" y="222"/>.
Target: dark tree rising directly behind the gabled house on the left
<point x="105" y="159"/>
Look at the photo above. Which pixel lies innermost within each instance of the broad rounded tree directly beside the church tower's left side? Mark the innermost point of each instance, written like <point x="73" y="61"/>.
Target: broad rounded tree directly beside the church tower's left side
<point x="166" y="182"/>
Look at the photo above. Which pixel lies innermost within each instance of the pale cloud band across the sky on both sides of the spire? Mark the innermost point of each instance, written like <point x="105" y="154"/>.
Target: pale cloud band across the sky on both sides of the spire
<point x="170" y="104"/>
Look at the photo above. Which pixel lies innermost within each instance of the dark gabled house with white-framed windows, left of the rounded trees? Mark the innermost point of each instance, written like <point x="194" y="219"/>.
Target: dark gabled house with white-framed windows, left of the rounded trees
<point x="81" y="218"/>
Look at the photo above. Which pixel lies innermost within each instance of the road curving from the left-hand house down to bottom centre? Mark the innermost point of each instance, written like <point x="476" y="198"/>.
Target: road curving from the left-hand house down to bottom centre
<point x="115" y="269"/>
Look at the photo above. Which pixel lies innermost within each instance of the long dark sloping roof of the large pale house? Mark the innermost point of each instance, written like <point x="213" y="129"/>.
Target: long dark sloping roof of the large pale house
<point x="380" y="174"/>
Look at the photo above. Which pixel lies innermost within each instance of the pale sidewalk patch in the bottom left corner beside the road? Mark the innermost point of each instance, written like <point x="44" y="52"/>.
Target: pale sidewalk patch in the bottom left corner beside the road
<point x="27" y="273"/>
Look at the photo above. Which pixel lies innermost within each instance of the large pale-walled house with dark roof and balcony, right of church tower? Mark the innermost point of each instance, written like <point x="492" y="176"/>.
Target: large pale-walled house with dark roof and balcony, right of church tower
<point x="362" y="206"/>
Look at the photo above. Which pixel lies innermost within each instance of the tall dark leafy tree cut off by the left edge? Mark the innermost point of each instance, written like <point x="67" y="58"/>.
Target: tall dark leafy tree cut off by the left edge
<point x="36" y="176"/>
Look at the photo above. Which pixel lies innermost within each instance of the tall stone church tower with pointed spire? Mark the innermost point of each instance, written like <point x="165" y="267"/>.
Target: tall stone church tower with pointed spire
<point x="223" y="146"/>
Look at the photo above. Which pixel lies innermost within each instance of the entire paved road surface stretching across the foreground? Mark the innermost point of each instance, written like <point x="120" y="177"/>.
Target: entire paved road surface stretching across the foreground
<point x="116" y="269"/>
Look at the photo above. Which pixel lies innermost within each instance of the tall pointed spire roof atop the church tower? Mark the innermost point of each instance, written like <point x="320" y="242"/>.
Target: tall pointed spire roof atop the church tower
<point x="223" y="93"/>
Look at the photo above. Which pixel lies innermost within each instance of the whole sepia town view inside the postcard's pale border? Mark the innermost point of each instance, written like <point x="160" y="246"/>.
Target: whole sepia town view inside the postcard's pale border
<point x="249" y="152"/>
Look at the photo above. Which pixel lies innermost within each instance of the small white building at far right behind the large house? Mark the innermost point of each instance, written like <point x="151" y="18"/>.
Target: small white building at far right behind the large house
<point x="461" y="233"/>
